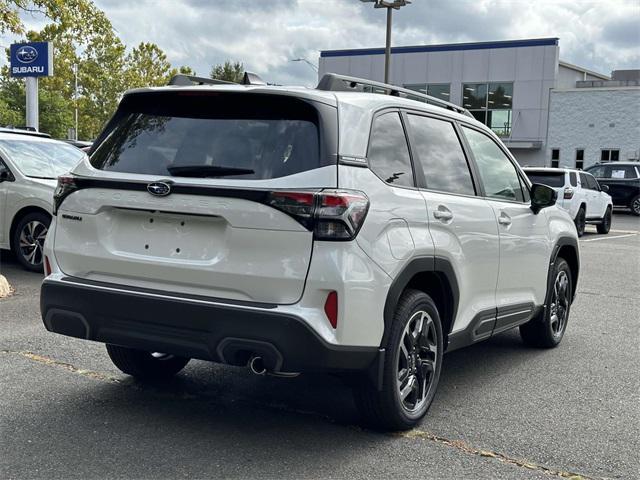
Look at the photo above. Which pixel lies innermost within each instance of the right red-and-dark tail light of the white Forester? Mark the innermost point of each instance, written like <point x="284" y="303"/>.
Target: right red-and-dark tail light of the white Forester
<point x="335" y="215"/>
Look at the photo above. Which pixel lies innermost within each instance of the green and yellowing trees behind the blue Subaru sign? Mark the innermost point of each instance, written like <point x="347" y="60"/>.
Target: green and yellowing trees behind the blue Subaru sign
<point x="82" y="35"/>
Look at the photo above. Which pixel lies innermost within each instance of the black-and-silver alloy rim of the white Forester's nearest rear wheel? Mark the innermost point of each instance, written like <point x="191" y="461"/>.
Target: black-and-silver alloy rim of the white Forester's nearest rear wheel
<point x="417" y="361"/>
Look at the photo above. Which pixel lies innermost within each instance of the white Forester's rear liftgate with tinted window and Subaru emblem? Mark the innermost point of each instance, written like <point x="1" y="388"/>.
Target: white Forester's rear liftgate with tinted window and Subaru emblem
<point x="180" y="192"/>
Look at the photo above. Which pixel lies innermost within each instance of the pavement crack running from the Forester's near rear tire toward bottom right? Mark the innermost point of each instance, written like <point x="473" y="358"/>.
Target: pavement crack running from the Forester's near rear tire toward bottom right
<point x="501" y="457"/>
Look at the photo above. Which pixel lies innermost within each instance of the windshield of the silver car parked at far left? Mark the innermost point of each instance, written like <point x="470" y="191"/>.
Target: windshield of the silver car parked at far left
<point x="40" y="159"/>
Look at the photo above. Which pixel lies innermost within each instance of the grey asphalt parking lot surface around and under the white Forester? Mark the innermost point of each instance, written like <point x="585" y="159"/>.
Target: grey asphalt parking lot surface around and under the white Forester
<point x="502" y="410"/>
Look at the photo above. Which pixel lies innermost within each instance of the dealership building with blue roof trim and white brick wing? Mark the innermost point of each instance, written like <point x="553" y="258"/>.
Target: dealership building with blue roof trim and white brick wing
<point x="545" y="110"/>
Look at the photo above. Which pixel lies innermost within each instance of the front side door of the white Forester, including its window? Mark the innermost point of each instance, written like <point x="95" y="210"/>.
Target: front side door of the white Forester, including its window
<point x="525" y="249"/>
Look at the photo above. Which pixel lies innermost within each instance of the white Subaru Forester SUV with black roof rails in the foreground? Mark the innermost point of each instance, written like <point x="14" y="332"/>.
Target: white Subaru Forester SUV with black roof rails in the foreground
<point x="296" y="230"/>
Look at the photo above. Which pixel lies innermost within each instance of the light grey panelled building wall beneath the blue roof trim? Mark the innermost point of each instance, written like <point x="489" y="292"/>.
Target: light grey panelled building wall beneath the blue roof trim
<point x="531" y="69"/>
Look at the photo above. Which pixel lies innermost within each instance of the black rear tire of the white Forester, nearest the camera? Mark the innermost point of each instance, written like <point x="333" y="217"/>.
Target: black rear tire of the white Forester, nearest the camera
<point x="385" y="409"/>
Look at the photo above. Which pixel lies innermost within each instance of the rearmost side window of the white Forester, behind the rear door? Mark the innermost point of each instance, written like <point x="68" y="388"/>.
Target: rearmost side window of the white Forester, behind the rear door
<point x="388" y="151"/>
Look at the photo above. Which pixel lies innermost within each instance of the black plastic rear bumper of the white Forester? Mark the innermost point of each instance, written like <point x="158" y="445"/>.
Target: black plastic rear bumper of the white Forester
<point x="193" y="327"/>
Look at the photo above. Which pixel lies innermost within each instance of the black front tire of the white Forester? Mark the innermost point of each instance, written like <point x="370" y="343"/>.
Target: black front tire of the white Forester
<point x="543" y="331"/>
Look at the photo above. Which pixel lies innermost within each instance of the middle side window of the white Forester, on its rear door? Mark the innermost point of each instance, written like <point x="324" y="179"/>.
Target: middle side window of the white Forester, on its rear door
<point x="441" y="156"/>
